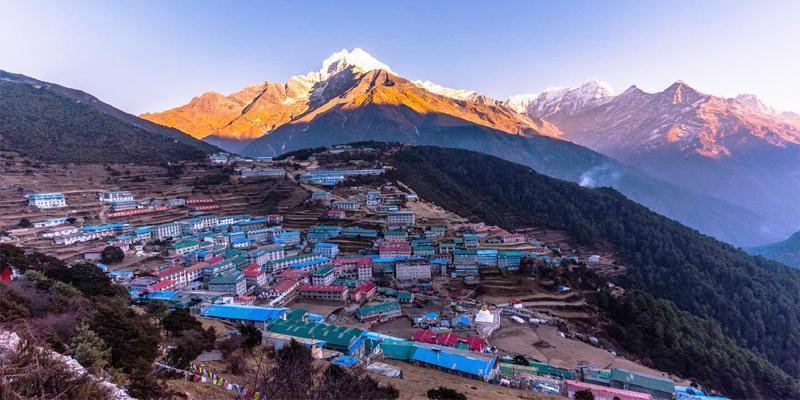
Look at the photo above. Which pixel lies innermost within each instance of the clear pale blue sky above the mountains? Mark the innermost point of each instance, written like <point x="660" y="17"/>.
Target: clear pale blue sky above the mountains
<point x="151" y="55"/>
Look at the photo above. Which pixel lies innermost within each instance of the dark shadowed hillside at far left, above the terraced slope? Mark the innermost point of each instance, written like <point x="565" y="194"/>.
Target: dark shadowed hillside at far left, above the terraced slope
<point x="54" y="123"/>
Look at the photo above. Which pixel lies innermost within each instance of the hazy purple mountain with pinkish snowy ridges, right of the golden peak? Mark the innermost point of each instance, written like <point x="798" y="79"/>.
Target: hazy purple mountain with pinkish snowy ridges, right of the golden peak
<point x="737" y="149"/>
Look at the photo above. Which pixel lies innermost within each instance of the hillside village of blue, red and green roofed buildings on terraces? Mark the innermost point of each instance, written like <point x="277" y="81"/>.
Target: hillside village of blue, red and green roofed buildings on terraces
<point x="353" y="265"/>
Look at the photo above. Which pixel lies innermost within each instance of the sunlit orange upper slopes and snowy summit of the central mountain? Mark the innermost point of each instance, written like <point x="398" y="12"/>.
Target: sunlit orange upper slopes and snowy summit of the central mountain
<point x="263" y="108"/>
